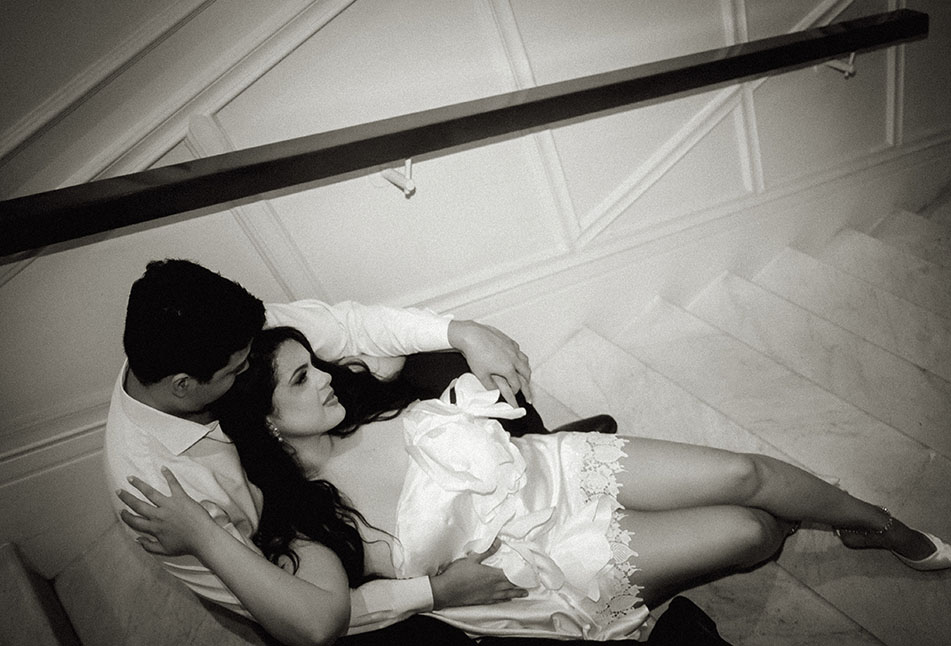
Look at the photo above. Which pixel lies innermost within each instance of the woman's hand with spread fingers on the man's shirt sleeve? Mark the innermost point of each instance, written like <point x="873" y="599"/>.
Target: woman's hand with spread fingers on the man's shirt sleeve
<point x="171" y="525"/>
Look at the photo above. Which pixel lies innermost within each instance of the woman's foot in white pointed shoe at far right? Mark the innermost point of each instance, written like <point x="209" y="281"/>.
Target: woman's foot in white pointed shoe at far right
<point x="914" y="548"/>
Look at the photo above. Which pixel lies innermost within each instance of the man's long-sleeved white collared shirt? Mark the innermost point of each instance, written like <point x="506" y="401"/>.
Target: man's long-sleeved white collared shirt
<point x="140" y="440"/>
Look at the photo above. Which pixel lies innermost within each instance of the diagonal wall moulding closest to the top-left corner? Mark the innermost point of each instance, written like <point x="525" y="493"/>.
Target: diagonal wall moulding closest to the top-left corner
<point x="97" y="75"/>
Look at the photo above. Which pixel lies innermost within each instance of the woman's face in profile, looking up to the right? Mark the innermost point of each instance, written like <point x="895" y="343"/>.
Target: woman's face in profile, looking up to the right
<point x="304" y="402"/>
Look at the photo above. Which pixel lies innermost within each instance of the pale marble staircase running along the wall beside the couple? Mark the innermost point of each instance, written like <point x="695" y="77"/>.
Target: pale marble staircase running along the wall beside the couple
<point x="837" y="361"/>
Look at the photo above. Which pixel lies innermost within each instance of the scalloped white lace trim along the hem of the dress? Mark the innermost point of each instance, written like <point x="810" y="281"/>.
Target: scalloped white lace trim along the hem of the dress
<point x="599" y="469"/>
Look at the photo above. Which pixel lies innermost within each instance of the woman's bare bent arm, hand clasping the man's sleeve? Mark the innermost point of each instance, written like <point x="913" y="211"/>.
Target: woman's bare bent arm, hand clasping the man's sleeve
<point x="313" y="608"/>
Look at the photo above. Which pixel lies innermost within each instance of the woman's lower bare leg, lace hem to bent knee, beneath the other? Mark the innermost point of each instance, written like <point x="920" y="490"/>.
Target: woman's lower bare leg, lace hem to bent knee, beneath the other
<point x="680" y="548"/>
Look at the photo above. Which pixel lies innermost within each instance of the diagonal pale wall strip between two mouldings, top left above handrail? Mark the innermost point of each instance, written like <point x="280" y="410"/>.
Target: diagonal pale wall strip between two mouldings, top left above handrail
<point x="81" y="142"/>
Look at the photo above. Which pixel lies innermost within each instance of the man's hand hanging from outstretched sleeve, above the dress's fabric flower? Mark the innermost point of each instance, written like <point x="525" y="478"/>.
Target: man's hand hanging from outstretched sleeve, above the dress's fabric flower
<point x="494" y="358"/>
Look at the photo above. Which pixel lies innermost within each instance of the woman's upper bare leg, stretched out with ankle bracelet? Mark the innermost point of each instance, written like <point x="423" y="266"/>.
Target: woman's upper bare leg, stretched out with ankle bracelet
<point x="659" y="475"/>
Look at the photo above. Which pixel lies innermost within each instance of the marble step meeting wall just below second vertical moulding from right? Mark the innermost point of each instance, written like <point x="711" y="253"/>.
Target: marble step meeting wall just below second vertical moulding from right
<point x="890" y="322"/>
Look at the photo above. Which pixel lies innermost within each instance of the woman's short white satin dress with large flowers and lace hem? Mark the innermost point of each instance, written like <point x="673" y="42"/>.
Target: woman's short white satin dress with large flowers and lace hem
<point x="551" y="500"/>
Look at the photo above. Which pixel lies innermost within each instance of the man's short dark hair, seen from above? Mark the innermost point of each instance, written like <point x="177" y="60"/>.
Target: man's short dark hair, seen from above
<point x="184" y="318"/>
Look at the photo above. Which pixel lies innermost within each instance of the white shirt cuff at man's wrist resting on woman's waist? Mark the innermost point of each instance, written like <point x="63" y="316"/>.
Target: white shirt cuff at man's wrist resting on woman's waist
<point x="382" y="602"/>
